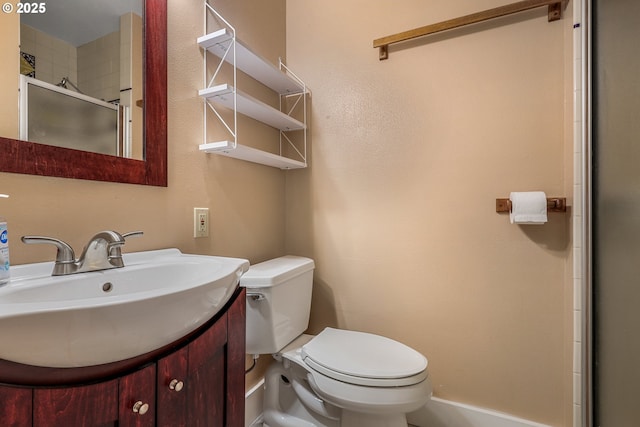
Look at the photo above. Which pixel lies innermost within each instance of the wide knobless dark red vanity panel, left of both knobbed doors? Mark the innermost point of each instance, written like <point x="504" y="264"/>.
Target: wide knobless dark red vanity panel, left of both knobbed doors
<point x="93" y="405"/>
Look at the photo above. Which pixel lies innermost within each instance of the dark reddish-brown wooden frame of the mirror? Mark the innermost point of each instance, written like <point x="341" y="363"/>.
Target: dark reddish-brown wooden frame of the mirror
<point x="38" y="159"/>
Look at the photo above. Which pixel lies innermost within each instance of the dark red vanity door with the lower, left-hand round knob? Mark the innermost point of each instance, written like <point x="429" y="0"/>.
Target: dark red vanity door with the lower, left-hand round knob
<point x="137" y="398"/>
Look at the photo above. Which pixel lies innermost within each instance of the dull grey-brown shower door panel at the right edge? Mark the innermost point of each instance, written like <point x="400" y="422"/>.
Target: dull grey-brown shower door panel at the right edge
<point x="616" y="213"/>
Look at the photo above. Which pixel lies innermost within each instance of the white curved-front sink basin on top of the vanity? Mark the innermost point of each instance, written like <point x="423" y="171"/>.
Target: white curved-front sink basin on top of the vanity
<point x="107" y="316"/>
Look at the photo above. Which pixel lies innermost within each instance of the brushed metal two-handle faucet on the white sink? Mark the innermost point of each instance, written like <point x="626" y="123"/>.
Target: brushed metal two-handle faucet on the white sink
<point x="101" y="253"/>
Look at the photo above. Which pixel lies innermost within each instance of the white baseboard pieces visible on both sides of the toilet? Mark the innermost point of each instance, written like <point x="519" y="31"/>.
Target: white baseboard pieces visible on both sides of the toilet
<point x="437" y="413"/>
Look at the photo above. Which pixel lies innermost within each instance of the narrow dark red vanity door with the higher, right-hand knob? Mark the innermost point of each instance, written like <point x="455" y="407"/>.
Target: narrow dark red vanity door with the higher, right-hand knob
<point x="172" y="389"/>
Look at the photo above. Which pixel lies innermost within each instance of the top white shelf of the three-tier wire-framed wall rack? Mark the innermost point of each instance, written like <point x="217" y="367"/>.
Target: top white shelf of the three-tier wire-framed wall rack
<point x="249" y="62"/>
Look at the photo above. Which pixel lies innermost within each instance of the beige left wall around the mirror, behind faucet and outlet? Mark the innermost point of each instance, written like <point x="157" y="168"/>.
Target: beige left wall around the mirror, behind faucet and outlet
<point x="246" y="201"/>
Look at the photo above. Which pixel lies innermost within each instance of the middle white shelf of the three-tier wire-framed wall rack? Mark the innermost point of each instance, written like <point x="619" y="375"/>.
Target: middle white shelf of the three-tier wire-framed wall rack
<point x="252" y="107"/>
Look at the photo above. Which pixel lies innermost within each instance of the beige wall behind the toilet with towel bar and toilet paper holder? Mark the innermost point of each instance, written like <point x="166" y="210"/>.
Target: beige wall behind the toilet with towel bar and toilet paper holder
<point x="398" y="207"/>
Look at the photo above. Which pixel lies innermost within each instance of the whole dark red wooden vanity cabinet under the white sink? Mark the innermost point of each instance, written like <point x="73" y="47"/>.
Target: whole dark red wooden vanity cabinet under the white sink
<point x="199" y="381"/>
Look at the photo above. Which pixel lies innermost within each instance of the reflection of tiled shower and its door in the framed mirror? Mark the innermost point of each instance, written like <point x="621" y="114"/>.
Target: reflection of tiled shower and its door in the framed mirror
<point x="81" y="81"/>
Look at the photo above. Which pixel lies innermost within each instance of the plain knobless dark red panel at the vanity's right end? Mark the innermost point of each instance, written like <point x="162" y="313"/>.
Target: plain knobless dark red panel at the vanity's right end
<point x="206" y="380"/>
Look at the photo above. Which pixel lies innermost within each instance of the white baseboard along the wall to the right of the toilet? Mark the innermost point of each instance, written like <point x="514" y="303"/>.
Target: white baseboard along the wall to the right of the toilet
<point x="444" y="413"/>
